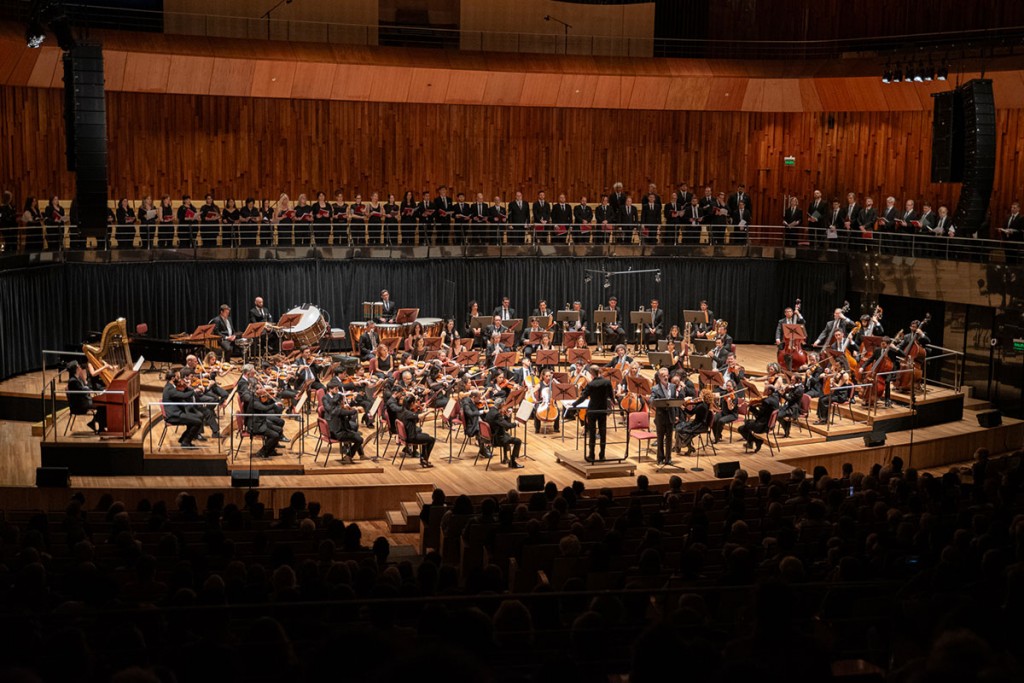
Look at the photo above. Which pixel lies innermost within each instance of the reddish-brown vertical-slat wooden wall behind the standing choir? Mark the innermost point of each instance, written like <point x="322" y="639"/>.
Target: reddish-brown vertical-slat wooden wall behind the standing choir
<point x="263" y="147"/>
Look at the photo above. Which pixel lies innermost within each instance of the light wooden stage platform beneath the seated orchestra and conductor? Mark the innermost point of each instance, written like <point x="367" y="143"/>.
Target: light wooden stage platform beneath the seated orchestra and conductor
<point x="369" y="490"/>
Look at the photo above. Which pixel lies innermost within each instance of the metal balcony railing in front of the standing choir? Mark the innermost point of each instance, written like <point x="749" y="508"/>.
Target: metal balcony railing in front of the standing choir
<point x="466" y="240"/>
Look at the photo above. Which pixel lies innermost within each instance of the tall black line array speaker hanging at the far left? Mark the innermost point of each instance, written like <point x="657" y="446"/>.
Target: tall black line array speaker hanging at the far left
<point x="86" y="135"/>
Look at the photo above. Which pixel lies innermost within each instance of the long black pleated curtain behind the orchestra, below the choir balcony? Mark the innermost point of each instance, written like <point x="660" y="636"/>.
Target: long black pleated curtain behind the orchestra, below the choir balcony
<point x="57" y="307"/>
